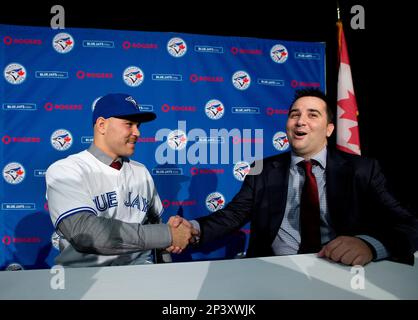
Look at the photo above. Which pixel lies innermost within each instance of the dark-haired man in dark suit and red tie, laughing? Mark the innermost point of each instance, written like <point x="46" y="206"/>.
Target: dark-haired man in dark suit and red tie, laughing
<point x="359" y="219"/>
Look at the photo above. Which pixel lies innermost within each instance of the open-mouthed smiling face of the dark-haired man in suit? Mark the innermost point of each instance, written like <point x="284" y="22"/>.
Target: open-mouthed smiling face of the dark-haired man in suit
<point x="307" y="126"/>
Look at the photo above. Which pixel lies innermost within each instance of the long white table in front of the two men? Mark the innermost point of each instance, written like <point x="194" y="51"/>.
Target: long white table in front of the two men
<point x="267" y="278"/>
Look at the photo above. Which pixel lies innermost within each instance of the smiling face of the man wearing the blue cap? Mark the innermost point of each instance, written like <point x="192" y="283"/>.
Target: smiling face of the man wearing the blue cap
<point x="116" y="137"/>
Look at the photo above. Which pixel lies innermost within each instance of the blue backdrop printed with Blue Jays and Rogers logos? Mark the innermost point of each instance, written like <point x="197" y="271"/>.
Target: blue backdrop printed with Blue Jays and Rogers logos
<point x="221" y="103"/>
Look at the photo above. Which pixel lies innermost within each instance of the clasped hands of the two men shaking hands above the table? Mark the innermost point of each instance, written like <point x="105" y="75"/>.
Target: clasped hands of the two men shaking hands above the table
<point x="182" y="232"/>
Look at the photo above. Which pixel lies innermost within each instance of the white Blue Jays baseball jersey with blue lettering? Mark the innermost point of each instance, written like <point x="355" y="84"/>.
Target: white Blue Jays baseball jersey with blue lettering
<point x="81" y="183"/>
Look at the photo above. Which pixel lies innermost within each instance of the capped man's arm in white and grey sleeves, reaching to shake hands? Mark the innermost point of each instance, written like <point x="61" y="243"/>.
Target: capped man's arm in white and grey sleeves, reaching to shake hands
<point x="74" y="215"/>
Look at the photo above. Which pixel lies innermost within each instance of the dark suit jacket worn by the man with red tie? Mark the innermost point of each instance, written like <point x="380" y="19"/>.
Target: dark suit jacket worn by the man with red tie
<point x="358" y="203"/>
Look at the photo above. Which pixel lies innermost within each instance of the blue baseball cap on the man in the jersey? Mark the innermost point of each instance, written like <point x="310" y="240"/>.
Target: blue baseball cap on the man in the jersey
<point x="120" y="105"/>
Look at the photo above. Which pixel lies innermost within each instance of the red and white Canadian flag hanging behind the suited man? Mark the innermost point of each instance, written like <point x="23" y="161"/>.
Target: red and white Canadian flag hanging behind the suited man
<point x="348" y="139"/>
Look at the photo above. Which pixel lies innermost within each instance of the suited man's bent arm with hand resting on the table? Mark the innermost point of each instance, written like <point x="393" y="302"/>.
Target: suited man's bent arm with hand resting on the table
<point x="388" y="229"/>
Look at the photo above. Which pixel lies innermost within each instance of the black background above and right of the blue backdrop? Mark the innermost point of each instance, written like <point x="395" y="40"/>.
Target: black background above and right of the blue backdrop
<point x="381" y="55"/>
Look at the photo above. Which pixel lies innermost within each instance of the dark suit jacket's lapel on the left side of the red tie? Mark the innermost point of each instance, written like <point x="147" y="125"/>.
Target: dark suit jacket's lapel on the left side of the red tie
<point x="277" y="182"/>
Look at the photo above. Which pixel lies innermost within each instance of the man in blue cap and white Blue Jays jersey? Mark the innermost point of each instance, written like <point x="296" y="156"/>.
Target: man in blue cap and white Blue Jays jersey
<point x="104" y="206"/>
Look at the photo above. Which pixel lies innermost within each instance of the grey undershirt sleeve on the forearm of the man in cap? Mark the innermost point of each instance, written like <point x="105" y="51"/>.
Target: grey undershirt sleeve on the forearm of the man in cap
<point x="91" y="234"/>
